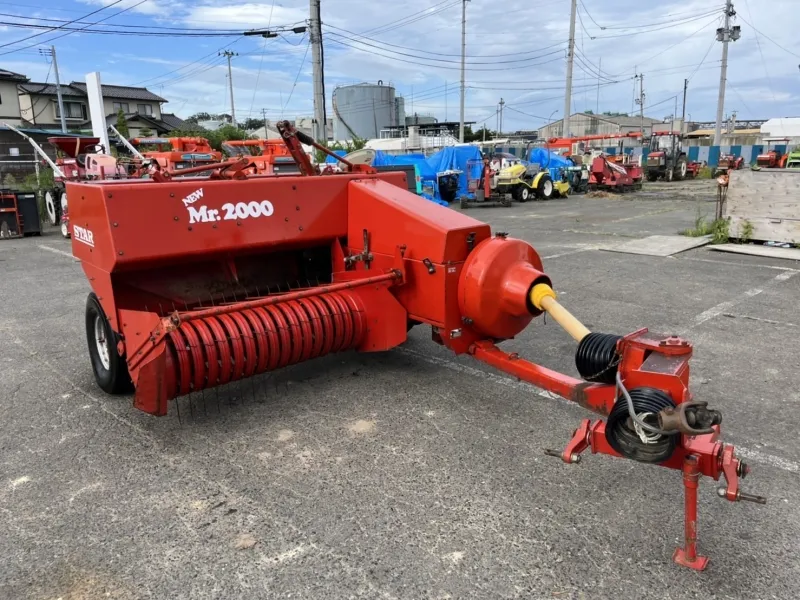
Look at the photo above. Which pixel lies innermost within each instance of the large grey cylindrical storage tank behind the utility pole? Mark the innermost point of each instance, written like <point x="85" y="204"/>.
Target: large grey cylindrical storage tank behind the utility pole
<point x="362" y="110"/>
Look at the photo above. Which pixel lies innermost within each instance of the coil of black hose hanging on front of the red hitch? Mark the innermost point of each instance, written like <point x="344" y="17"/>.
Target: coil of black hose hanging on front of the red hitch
<point x="624" y="439"/>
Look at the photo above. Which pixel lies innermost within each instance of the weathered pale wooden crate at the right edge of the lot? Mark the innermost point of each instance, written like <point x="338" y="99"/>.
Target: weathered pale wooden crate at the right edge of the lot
<point x="769" y="200"/>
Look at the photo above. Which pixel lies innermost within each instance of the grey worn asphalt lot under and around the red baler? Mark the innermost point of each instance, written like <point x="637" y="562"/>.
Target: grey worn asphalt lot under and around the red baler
<point x="412" y="473"/>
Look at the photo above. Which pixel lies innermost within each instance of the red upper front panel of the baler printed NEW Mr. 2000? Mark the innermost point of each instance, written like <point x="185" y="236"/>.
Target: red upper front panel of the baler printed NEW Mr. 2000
<point x="191" y="218"/>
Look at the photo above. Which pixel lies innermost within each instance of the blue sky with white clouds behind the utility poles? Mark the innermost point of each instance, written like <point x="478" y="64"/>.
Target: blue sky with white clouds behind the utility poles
<point x="516" y="50"/>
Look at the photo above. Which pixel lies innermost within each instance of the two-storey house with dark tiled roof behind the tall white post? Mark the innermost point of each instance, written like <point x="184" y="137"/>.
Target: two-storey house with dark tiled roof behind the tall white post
<point x="38" y="107"/>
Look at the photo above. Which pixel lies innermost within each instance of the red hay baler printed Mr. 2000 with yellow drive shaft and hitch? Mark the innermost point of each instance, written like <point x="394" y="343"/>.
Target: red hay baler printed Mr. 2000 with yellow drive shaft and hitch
<point x="199" y="282"/>
